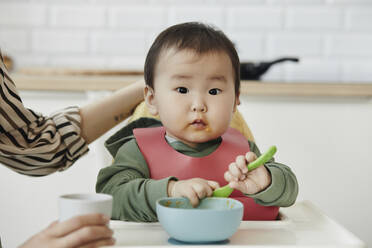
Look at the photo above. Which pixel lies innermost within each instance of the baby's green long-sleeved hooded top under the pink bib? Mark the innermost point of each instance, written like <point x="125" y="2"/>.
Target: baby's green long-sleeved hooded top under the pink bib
<point x="135" y="194"/>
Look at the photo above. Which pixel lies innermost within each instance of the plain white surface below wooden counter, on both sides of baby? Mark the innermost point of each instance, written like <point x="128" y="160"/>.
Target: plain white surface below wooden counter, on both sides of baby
<point x="327" y="142"/>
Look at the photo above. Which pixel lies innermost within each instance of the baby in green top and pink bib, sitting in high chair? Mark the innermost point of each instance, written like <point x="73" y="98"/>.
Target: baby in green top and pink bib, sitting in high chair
<point x="192" y="83"/>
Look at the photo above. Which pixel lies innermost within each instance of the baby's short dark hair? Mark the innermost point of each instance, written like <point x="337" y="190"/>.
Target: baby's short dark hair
<point x="195" y="36"/>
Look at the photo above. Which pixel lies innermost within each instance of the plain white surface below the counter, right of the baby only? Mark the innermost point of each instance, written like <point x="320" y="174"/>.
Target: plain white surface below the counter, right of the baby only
<point x="328" y="144"/>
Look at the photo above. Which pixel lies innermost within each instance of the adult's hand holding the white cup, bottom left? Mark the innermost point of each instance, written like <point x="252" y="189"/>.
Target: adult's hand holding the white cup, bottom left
<point x="82" y="231"/>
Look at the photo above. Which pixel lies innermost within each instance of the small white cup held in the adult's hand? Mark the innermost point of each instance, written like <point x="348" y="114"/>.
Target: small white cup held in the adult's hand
<point x="80" y="204"/>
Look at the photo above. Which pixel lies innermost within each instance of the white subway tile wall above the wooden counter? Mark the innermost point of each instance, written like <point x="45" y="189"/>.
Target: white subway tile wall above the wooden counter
<point x="332" y="38"/>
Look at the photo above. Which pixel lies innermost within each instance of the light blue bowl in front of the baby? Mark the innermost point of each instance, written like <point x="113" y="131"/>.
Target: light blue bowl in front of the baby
<point x="214" y="220"/>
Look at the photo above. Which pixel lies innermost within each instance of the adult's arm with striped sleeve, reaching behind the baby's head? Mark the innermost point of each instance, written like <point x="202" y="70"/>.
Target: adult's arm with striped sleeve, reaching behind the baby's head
<point x="36" y="145"/>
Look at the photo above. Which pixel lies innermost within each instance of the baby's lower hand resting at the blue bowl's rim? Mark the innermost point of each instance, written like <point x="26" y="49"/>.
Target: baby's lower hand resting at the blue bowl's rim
<point x="194" y="189"/>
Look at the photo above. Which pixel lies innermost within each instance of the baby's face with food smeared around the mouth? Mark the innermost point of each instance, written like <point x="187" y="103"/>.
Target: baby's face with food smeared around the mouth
<point x="193" y="94"/>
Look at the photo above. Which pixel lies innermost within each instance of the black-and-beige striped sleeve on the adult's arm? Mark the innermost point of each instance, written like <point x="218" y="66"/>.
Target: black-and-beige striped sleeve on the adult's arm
<point x="31" y="143"/>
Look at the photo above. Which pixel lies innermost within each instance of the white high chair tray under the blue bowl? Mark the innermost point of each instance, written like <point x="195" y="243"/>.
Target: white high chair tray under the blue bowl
<point x="302" y="225"/>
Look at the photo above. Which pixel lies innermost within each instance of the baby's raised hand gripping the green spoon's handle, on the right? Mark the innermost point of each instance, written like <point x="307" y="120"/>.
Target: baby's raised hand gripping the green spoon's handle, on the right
<point x="248" y="182"/>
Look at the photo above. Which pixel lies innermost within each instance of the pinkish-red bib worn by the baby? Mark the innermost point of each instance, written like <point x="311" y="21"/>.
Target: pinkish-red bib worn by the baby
<point x="163" y="161"/>
